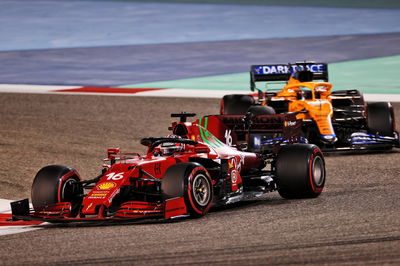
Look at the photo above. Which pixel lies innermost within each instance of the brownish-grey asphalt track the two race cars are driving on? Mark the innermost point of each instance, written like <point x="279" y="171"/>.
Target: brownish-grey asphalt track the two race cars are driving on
<point x="356" y="220"/>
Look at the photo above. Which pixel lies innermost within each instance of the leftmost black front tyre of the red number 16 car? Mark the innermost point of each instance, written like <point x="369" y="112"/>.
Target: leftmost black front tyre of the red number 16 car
<point x="54" y="184"/>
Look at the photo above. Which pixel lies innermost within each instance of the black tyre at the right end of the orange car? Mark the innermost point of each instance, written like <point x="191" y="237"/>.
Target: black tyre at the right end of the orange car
<point x="380" y="119"/>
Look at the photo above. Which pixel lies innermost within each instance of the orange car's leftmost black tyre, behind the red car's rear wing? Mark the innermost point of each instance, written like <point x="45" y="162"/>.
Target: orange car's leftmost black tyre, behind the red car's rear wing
<point x="236" y="104"/>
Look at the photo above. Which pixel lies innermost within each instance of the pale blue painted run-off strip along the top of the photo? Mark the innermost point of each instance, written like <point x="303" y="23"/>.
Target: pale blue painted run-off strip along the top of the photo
<point x="59" y="24"/>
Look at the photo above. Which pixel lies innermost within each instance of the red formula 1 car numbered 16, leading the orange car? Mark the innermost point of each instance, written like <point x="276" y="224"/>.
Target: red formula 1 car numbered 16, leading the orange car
<point x="182" y="174"/>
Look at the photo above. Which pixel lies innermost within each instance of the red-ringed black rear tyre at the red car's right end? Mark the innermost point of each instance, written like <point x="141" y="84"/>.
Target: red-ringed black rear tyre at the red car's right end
<point x="300" y="171"/>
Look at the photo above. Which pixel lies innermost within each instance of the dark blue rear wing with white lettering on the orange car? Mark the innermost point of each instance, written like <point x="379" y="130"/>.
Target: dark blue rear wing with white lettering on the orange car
<point x="282" y="72"/>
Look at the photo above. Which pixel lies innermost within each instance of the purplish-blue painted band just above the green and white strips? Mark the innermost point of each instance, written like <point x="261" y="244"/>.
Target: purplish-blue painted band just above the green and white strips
<point x="120" y="65"/>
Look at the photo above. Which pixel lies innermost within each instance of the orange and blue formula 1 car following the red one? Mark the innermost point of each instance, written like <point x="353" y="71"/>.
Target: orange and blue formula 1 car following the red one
<point x="337" y="120"/>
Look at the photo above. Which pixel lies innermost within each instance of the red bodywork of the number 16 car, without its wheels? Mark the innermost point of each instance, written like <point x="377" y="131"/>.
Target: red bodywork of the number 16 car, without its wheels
<point x="144" y="172"/>
